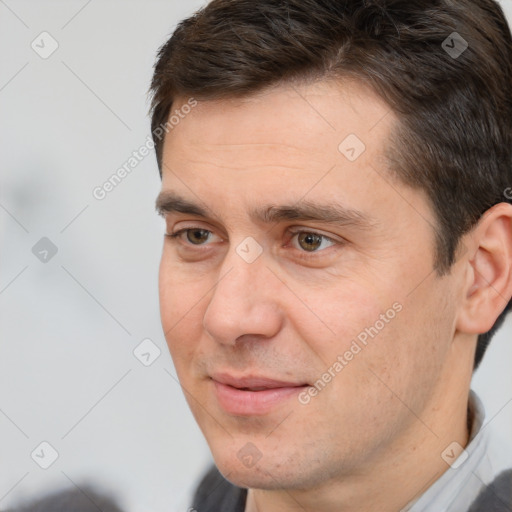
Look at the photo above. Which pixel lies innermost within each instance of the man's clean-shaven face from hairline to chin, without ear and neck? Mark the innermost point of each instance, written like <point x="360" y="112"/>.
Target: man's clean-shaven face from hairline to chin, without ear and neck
<point x="255" y="313"/>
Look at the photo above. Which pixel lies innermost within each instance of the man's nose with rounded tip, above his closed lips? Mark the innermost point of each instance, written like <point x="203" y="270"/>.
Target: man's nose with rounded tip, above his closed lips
<point x="245" y="301"/>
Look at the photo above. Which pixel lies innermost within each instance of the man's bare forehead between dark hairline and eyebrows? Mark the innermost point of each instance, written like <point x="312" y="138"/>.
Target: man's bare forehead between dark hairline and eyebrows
<point x="322" y="142"/>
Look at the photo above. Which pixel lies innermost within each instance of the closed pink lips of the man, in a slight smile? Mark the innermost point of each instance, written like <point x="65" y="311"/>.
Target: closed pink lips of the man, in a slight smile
<point x="252" y="395"/>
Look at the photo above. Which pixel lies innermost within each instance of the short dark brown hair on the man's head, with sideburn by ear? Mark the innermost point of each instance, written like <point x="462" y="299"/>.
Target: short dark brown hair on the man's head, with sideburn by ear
<point x="454" y="103"/>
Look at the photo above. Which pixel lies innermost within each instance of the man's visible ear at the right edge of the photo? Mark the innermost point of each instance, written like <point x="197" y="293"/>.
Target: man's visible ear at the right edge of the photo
<point x="488" y="286"/>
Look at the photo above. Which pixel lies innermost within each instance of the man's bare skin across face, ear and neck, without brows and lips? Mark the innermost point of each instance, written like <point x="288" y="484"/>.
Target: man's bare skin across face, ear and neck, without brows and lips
<point x="402" y="399"/>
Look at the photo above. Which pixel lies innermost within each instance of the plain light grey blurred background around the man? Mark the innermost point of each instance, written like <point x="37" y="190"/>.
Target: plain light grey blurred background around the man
<point x="69" y="326"/>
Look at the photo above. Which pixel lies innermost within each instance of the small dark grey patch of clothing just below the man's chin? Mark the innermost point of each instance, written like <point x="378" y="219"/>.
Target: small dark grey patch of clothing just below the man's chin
<point x="215" y="493"/>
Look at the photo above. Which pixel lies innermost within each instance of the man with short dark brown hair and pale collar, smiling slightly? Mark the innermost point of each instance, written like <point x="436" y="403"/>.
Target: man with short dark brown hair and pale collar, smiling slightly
<point x="336" y="190"/>
